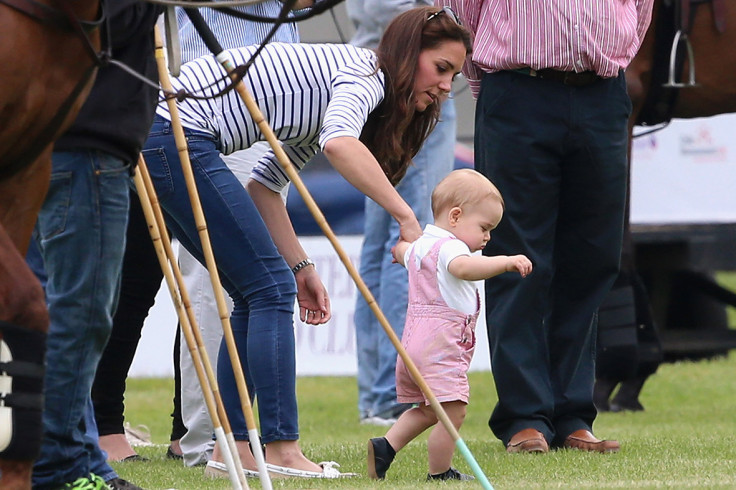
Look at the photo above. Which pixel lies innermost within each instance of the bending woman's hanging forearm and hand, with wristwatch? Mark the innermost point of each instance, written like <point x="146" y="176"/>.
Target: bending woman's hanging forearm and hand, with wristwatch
<point x="314" y="302"/>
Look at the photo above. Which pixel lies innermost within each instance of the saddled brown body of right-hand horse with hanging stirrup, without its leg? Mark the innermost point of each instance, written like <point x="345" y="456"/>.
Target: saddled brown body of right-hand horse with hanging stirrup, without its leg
<point x="711" y="33"/>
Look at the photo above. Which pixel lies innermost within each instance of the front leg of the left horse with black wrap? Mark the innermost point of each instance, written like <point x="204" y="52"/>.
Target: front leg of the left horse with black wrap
<point x="23" y="325"/>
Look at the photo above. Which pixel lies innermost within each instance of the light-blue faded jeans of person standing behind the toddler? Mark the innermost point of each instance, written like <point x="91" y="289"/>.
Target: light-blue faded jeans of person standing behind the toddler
<point x="388" y="282"/>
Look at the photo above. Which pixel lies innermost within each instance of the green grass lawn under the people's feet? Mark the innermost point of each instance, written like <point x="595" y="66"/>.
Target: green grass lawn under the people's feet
<point x="686" y="438"/>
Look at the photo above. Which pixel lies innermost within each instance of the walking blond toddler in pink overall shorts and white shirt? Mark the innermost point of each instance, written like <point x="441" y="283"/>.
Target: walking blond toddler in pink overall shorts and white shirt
<point x="439" y="334"/>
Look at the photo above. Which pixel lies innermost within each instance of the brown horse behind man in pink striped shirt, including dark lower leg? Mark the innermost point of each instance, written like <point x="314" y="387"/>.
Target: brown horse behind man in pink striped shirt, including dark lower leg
<point x="677" y="73"/>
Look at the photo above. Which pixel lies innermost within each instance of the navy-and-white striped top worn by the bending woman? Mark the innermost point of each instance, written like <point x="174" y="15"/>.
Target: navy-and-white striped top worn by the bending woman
<point x="308" y="93"/>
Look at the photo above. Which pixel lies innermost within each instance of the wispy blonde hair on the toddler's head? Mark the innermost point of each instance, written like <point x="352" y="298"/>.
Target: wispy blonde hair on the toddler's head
<point x="463" y="188"/>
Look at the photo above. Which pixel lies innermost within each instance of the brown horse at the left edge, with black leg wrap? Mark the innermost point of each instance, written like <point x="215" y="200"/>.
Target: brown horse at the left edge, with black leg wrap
<point x="48" y="60"/>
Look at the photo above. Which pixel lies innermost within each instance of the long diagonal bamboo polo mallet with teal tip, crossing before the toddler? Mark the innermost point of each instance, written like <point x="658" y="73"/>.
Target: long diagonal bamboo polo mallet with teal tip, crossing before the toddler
<point x="293" y="175"/>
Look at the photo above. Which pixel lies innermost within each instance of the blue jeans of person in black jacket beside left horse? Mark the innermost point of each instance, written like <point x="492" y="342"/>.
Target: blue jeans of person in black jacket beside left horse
<point x="81" y="237"/>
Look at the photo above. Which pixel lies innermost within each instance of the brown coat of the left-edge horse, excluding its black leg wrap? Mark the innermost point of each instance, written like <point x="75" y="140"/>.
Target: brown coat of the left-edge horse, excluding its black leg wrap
<point x="39" y="67"/>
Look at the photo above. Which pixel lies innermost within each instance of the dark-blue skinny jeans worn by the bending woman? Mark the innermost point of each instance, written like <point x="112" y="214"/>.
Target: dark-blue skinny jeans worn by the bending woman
<point x="251" y="269"/>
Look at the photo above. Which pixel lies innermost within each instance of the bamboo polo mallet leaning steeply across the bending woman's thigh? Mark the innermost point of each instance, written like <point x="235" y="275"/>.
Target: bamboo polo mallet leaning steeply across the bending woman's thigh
<point x="208" y="253"/>
